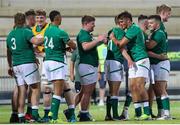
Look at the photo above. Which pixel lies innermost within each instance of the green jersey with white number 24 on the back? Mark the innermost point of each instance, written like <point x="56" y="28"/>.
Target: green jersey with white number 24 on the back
<point x="55" y="40"/>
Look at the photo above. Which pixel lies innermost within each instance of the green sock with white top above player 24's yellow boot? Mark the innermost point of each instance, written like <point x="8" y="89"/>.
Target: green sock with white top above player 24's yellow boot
<point x="55" y="106"/>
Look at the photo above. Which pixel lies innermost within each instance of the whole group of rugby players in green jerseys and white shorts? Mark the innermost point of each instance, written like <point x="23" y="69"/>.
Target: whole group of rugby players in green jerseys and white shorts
<point x="144" y="46"/>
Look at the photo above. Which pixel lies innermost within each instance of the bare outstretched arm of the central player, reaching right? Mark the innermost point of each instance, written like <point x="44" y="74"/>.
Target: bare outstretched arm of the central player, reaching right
<point x="89" y="45"/>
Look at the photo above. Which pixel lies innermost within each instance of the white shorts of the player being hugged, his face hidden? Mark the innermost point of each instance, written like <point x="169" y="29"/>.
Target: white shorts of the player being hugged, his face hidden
<point x="113" y="70"/>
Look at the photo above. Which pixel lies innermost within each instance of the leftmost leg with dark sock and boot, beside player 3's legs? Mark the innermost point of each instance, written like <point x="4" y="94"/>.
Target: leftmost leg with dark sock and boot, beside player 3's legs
<point x="14" y="104"/>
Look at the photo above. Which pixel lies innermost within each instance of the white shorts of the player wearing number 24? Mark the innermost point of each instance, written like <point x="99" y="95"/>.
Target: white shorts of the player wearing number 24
<point x="54" y="70"/>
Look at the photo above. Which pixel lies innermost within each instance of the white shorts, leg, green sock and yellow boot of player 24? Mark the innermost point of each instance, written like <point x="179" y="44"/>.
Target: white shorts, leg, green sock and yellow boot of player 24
<point x="55" y="74"/>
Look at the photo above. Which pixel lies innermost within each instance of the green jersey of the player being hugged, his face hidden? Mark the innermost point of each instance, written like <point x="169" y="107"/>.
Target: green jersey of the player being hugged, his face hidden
<point x="114" y="52"/>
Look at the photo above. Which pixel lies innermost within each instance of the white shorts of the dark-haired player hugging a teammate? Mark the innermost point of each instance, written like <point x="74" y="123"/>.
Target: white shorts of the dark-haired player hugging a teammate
<point x="140" y="69"/>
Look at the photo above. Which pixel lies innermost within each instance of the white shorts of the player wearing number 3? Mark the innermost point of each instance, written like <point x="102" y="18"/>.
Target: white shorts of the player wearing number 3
<point x="26" y="74"/>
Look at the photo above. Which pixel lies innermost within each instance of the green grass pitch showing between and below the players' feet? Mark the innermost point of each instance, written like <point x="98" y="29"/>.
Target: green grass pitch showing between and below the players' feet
<point x="98" y="113"/>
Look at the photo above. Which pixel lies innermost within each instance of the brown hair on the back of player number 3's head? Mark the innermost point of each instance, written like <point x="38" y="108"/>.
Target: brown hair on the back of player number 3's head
<point x="19" y="19"/>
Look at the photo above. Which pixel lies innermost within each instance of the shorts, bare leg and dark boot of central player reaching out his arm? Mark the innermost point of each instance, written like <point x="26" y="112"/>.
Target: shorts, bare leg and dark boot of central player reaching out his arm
<point x="88" y="75"/>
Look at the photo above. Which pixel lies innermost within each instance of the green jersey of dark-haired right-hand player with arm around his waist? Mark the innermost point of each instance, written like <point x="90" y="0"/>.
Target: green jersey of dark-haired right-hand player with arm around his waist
<point x="160" y="38"/>
